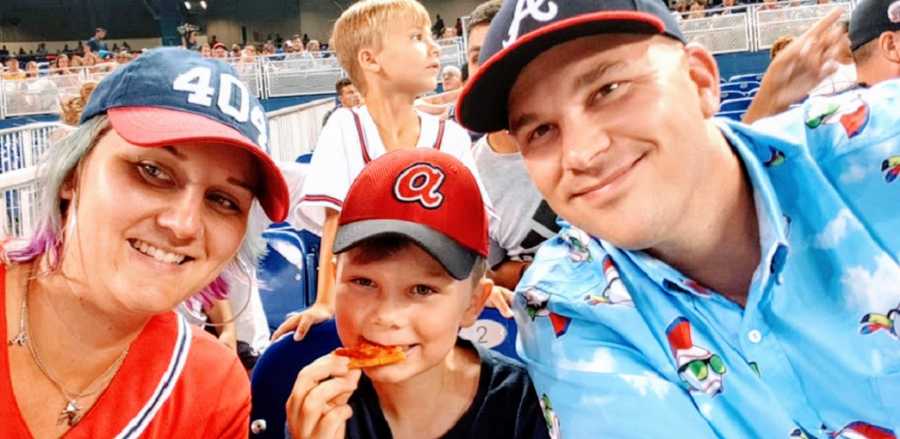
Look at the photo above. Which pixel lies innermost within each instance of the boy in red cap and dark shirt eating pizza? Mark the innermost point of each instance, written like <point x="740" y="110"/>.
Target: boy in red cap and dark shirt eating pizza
<point x="411" y="246"/>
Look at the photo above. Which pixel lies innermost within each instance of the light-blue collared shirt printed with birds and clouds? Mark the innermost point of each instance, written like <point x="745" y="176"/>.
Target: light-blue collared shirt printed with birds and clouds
<point x="620" y="344"/>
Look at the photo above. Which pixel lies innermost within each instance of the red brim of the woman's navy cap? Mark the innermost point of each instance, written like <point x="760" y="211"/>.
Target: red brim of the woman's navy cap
<point x="156" y="126"/>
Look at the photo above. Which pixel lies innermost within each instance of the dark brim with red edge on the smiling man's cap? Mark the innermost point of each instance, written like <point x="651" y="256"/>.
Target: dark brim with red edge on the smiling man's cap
<point x="482" y="105"/>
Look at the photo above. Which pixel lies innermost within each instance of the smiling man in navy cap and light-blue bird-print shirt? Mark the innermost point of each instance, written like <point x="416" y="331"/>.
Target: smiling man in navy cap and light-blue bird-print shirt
<point x="721" y="281"/>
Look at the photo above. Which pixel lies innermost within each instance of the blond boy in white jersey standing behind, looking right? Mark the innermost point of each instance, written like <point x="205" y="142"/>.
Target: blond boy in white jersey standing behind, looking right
<point x="386" y="48"/>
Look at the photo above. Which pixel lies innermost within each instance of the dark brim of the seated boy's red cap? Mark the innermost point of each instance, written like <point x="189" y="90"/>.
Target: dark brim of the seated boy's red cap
<point x="456" y="259"/>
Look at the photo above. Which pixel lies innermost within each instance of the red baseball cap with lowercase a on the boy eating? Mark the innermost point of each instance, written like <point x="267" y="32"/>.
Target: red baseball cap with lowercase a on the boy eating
<point x="424" y="195"/>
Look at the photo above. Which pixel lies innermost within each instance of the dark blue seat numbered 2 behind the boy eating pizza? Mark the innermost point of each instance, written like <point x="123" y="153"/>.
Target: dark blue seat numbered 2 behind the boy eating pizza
<point x="276" y="370"/>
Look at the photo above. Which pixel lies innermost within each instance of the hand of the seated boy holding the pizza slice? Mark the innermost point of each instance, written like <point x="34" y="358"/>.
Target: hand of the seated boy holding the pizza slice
<point x="317" y="407"/>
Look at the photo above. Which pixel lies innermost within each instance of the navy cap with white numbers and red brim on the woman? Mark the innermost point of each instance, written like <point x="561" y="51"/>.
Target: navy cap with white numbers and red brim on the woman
<point x="169" y="96"/>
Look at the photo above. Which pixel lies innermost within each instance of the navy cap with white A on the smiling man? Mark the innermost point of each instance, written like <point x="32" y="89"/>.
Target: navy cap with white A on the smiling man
<point x="523" y="29"/>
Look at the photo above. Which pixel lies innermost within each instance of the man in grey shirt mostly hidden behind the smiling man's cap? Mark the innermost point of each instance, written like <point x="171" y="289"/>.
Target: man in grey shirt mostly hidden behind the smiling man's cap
<point x="524" y="220"/>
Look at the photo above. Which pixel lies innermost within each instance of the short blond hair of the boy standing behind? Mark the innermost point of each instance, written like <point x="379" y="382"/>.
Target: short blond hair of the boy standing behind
<point x="362" y="25"/>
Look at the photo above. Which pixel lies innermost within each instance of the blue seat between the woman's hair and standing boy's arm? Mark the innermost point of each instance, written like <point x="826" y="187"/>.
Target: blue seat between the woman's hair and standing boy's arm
<point x="288" y="272"/>
